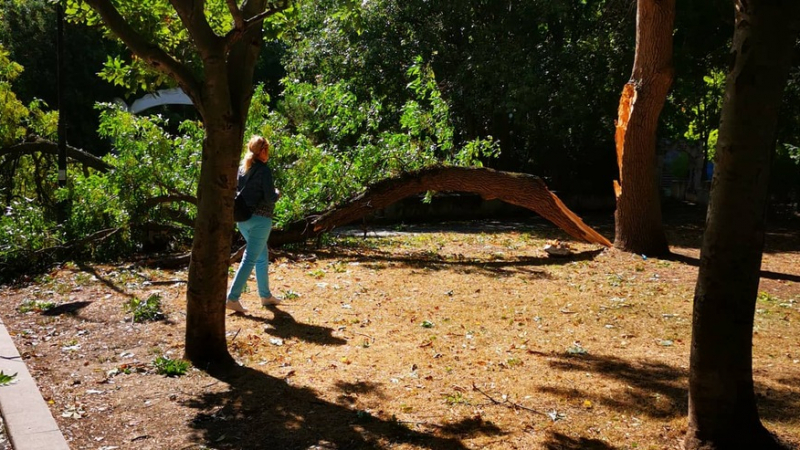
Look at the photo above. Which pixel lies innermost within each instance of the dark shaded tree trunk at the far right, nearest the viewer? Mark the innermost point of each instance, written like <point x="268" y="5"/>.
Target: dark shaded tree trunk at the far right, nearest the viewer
<point x="722" y="406"/>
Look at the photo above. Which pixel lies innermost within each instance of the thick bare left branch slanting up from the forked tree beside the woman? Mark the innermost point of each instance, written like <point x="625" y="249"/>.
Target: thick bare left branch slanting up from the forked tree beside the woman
<point x="146" y="50"/>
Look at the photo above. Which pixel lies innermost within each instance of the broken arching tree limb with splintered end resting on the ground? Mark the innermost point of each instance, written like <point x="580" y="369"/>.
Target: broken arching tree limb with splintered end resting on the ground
<point x="527" y="191"/>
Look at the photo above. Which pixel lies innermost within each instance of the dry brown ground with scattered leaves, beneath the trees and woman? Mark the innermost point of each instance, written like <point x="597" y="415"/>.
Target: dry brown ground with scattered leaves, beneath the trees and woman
<point x="462" y="337"/>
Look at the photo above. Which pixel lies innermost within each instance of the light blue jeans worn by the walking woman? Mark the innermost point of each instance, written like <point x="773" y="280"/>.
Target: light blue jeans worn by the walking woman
<point x="256" y="254"/>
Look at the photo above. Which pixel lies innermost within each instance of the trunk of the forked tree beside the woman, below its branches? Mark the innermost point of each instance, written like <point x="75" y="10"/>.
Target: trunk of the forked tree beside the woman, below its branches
<point x="206" y="345"/>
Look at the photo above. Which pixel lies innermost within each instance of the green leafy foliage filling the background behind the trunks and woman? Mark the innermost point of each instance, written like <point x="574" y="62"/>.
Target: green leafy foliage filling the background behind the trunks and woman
<point x="350" y="93"/>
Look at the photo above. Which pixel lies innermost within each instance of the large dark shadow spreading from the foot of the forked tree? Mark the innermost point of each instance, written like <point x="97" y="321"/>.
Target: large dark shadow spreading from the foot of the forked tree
<point x="261" y="411"/>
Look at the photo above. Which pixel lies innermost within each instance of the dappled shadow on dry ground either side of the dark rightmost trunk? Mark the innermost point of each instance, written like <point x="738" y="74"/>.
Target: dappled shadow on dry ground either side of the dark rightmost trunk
<point x="657" y="390"/>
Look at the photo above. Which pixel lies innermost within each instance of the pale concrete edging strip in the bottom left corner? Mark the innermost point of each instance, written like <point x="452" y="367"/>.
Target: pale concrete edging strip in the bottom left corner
<point x="29" y="423"/>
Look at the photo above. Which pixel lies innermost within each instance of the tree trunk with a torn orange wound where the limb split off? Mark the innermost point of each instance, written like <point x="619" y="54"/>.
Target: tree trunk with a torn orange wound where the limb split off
<point x="638" y="217"/>
